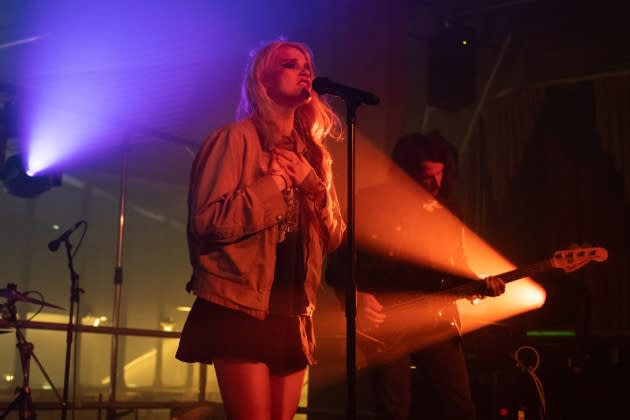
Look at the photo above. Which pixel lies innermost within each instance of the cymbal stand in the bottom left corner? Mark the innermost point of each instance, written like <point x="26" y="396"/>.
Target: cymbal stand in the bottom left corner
<point x="23" y="401"/>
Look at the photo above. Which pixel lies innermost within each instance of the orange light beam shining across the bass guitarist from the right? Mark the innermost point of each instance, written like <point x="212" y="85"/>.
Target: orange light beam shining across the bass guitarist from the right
<point x="402" y="221"/>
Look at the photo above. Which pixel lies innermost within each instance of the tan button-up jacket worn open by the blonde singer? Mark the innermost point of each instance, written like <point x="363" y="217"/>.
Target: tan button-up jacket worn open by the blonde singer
<point x="234" y="211"/>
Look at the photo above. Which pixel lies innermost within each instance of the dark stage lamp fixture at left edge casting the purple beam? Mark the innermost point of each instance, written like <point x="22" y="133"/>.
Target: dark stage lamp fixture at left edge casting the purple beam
<point x="19" y="183"/>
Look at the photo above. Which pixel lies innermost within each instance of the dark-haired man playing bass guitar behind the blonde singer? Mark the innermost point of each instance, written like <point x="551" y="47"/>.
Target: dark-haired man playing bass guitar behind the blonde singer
<point x="441" y="383"/>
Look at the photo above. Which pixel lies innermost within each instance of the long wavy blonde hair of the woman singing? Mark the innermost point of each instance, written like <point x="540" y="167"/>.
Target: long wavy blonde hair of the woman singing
<point x="315" y="121"/>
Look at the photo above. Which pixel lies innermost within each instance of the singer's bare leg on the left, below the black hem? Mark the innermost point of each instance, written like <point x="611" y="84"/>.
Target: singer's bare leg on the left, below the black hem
<point x="245" y="389"/>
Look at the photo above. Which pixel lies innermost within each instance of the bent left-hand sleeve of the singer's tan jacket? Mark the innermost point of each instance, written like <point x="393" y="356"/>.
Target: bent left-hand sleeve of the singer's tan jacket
<point x="222" y="208"/>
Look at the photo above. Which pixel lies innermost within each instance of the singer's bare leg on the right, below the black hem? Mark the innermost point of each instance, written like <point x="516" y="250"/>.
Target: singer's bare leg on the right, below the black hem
<point x="285" y="394"/>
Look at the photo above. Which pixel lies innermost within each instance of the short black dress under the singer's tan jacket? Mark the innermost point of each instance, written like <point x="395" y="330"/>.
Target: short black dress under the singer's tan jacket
<point x="213" y="330"/>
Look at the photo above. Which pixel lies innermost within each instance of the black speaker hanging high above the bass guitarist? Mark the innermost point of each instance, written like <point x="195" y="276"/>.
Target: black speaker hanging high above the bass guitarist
<point x="452" y="63"/>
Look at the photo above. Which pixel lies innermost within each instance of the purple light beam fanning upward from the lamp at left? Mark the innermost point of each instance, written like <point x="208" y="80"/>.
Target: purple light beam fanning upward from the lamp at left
<point x="96" y="75"/>
